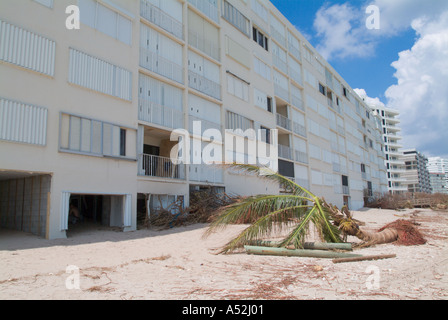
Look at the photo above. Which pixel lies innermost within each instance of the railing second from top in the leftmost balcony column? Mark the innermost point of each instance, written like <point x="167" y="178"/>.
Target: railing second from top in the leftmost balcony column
<point x="160" y="65"/>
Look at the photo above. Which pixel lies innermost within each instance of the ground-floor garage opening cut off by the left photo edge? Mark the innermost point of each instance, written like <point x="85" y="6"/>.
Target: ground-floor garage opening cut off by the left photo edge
<point x="25" y="201"/>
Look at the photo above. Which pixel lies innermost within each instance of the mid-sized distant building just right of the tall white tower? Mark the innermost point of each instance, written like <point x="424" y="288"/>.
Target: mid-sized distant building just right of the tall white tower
<point x="416" y="174"/>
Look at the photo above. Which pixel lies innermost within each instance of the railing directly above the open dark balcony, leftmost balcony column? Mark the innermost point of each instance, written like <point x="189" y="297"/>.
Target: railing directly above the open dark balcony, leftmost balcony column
<point x="157" y="114"/>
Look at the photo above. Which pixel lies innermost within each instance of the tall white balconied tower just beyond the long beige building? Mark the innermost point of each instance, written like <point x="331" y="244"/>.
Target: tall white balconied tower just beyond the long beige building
<point x="391" y="135"/>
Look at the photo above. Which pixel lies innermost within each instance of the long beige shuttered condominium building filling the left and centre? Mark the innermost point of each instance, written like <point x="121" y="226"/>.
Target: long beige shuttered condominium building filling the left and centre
<point x="134" y="104"/>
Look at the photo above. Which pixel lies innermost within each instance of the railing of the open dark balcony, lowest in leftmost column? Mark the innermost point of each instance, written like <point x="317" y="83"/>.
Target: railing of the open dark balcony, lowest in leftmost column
<point x="160" y="167"/>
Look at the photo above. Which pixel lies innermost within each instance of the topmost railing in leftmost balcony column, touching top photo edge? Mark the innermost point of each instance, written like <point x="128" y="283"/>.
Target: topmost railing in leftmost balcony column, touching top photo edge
<point x="161" y="19"/>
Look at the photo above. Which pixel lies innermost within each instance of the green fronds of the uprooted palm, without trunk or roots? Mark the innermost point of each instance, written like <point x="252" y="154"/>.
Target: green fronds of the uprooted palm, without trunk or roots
<point x="268" y="213"/>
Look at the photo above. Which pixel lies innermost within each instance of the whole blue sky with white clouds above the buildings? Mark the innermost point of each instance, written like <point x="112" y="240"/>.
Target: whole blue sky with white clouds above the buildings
<point x="404" y="64"/>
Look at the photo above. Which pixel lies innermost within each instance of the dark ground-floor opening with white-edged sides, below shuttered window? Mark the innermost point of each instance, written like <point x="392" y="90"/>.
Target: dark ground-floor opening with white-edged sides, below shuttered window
<point x="89" y="212"/>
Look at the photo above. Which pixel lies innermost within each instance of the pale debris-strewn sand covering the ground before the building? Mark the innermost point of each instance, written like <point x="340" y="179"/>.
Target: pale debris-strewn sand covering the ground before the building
<point x="178" y="264"/>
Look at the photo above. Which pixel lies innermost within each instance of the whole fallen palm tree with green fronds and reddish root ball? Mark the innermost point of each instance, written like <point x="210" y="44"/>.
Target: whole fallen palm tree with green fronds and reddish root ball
<point x="298" y="211"/>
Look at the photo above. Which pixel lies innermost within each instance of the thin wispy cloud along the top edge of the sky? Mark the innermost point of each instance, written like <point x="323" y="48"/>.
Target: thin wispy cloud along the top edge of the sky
<point x="342" y="32"/>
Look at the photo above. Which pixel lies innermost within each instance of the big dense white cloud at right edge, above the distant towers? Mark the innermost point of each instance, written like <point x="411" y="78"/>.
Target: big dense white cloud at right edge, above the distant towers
<point x="421" y="93"/>
